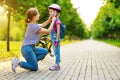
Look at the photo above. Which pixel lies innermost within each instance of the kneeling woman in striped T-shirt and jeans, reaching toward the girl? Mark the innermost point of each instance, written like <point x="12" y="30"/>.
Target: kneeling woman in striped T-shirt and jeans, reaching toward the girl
<point x="30" y="52"/>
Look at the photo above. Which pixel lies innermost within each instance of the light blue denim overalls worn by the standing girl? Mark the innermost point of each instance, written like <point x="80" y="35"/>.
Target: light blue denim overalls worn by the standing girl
<point x="56" y="49"/>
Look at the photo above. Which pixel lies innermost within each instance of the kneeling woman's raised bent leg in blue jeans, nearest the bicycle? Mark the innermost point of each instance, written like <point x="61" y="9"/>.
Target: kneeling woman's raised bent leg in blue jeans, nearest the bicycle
<point x="40" y="53"/>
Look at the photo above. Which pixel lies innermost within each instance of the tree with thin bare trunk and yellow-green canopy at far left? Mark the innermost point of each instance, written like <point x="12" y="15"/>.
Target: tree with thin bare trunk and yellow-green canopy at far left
<point x="16" y="7"/>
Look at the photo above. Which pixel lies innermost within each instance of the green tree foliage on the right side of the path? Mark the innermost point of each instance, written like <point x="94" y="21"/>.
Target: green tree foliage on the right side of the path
<point x="107" y="23"/>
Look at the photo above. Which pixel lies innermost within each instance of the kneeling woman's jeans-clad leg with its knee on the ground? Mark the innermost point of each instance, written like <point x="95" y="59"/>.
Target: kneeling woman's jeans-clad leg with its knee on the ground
<point x="30" y="57"/>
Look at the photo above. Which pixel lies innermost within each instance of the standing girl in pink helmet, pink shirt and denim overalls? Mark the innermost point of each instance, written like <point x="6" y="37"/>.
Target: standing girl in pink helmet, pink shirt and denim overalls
<point x="55" y="35"/>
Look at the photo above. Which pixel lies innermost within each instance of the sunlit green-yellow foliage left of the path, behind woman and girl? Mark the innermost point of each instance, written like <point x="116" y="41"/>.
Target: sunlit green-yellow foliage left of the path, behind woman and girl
<point x="69" y="16"/>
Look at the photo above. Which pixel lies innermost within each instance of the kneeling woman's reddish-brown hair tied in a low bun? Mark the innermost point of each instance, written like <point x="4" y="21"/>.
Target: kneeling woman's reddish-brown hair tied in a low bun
<point x="30" y="13"/>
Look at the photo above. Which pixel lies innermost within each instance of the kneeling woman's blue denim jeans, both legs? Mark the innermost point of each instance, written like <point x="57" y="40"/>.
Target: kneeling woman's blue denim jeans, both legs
<point x="32" y="55"/>
